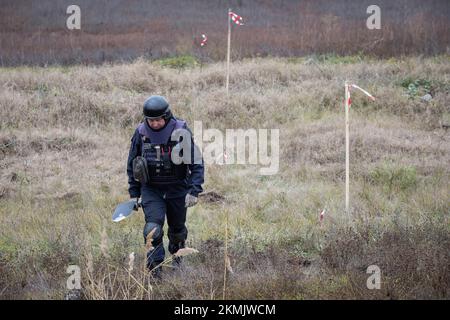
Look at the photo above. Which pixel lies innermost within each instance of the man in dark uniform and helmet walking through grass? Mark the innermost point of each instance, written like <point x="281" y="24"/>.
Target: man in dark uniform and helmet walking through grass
<point x="167" y="185"/>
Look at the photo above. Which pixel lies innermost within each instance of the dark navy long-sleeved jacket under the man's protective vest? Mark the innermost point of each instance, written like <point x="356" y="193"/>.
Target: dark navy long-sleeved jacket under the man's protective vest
<point x="192" y="184"/>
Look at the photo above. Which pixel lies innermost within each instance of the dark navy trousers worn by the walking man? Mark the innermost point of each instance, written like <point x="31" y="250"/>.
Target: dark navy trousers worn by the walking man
<point x="156" y="208"/>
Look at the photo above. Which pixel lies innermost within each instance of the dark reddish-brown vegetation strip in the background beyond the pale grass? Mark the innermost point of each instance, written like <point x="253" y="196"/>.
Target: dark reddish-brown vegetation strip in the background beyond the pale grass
<point x="126" y="29"/>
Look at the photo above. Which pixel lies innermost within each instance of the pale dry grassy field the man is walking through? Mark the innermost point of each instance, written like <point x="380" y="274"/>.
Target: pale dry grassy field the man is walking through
<point x="64" y="139"/>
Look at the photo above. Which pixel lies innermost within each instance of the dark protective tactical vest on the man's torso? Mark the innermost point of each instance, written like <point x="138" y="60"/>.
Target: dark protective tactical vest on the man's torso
<point x="155" y="166"/>
